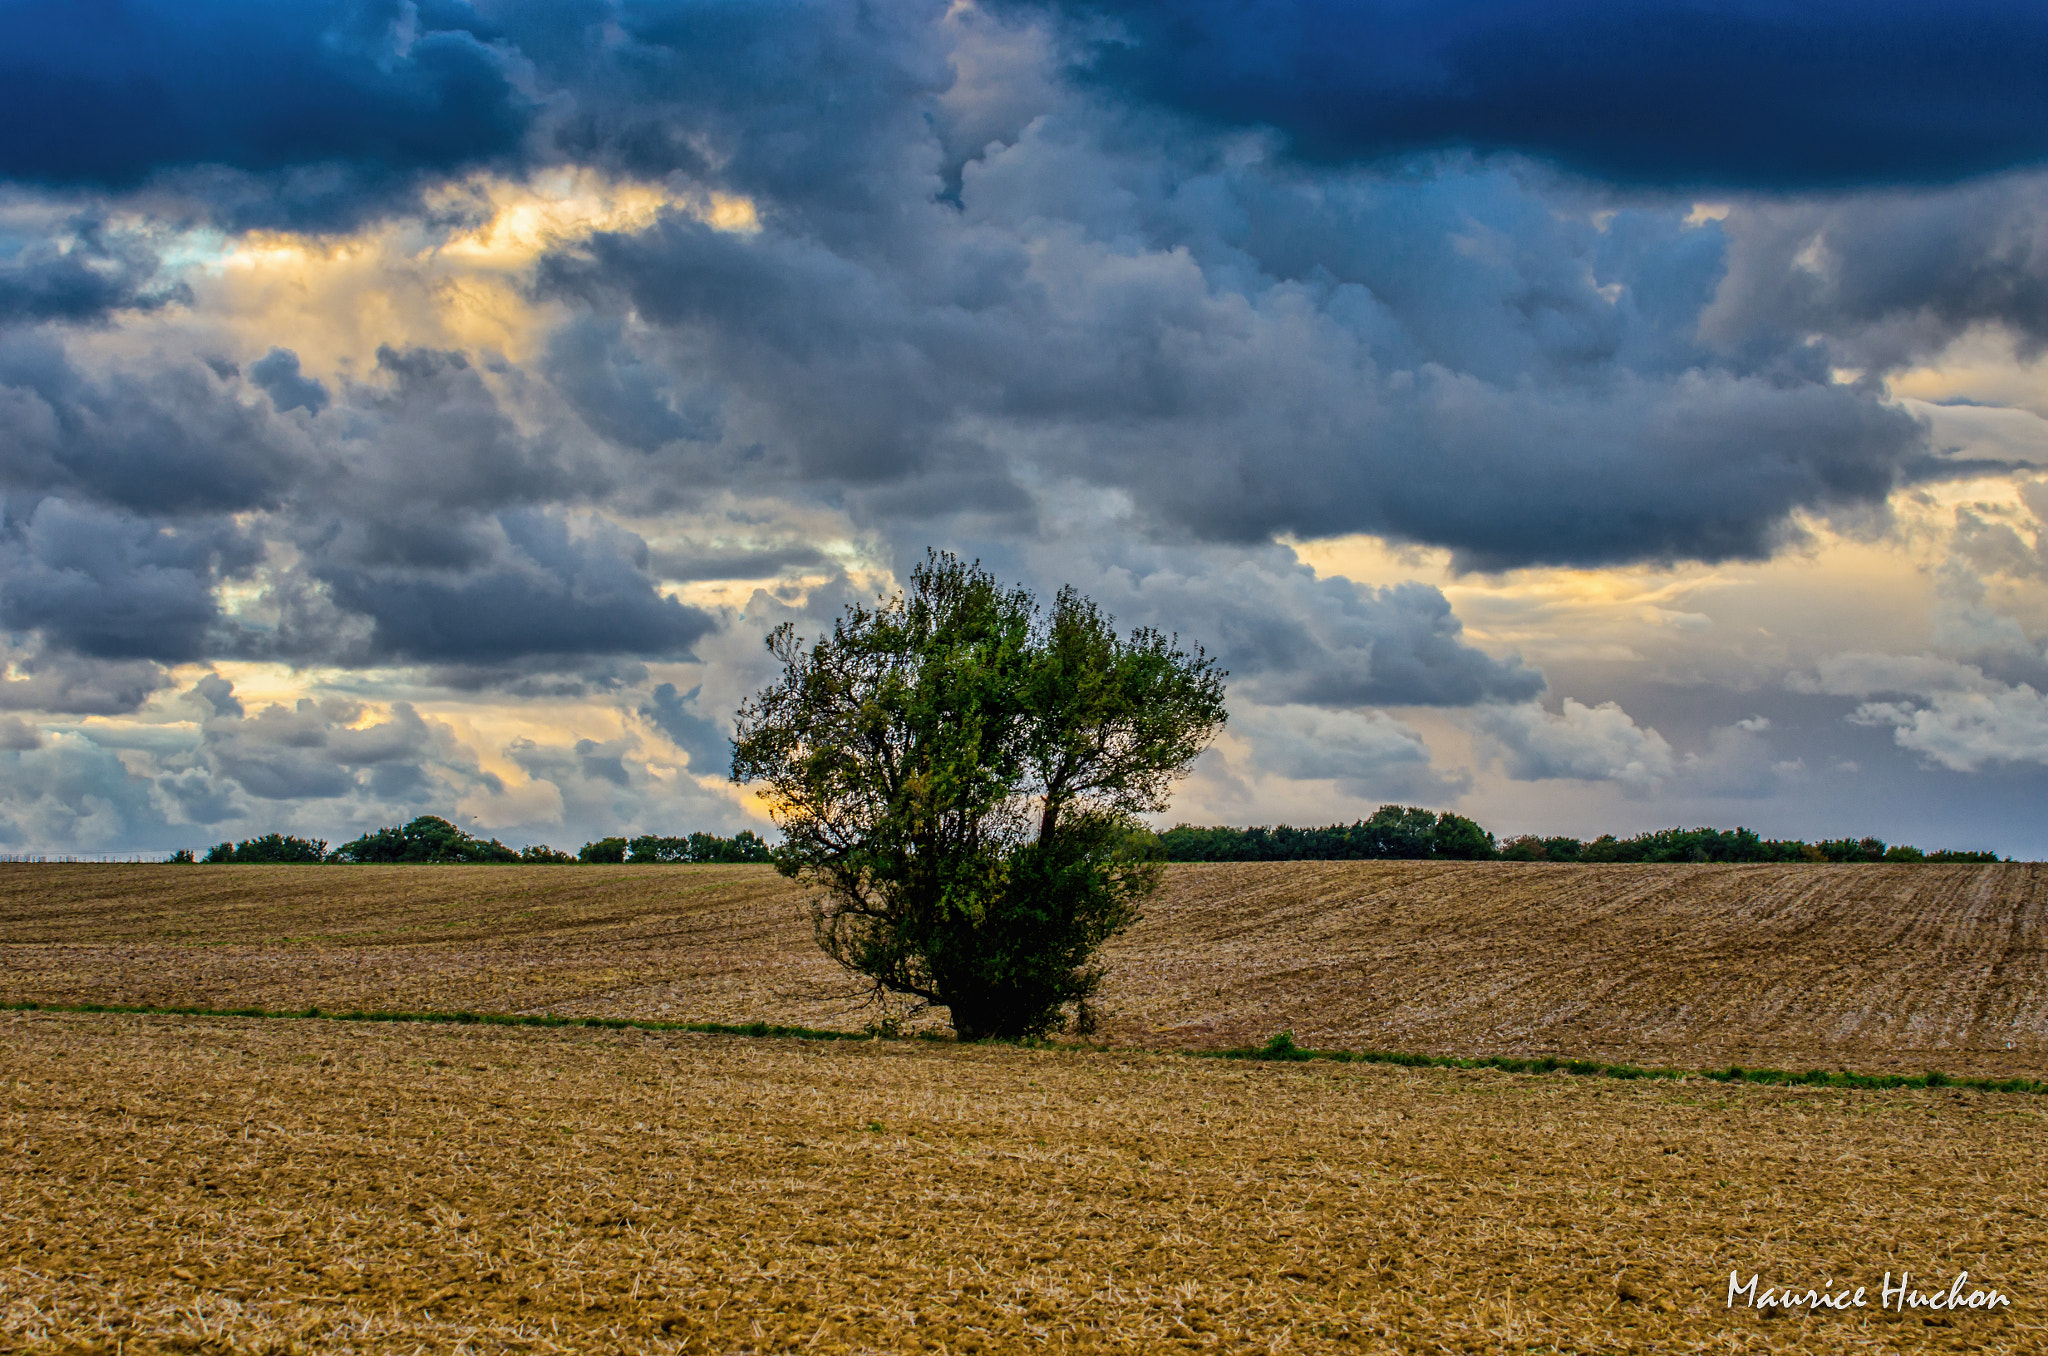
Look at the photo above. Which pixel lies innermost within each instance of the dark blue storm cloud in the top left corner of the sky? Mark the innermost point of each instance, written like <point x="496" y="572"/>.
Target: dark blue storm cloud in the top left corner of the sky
<point x="118" y="91"/>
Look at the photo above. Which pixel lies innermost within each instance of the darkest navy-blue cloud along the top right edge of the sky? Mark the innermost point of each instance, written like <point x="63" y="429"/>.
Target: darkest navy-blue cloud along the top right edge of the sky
<point x="1736" y="93"/>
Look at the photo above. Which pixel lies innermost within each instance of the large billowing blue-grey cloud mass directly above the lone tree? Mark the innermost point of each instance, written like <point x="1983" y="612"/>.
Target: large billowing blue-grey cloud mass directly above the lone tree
<point x="1443" y="359"/>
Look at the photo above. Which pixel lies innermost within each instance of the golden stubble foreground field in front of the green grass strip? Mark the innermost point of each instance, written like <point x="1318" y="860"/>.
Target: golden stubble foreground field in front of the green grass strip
<point x="300" y="1185"/>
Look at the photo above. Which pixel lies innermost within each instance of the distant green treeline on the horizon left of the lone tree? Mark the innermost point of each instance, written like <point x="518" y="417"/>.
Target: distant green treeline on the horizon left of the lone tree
<point x="431" y="839"/>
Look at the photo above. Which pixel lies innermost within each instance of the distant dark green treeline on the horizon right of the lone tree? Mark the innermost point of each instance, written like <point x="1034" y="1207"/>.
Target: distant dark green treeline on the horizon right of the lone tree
<point x="1418" y="835"/>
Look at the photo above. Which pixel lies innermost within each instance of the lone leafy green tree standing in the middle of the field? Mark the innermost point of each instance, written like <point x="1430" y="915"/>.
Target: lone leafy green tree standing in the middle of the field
<point x="962" y="771"/>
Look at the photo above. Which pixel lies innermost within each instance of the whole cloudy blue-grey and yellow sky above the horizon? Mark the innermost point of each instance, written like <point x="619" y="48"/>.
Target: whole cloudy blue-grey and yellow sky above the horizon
<point x="1586" y="415"/>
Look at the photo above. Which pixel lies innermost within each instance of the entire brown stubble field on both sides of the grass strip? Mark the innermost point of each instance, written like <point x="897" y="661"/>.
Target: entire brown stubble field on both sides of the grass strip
<point x="308" y="1185"/>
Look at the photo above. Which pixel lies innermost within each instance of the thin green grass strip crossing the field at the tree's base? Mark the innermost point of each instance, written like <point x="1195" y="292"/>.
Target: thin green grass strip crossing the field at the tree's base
<point x="1281" y="1050"/>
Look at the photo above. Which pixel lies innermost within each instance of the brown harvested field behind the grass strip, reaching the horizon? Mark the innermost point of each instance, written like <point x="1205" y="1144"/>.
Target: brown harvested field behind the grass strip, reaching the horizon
<point x="1863" y="968"/>
